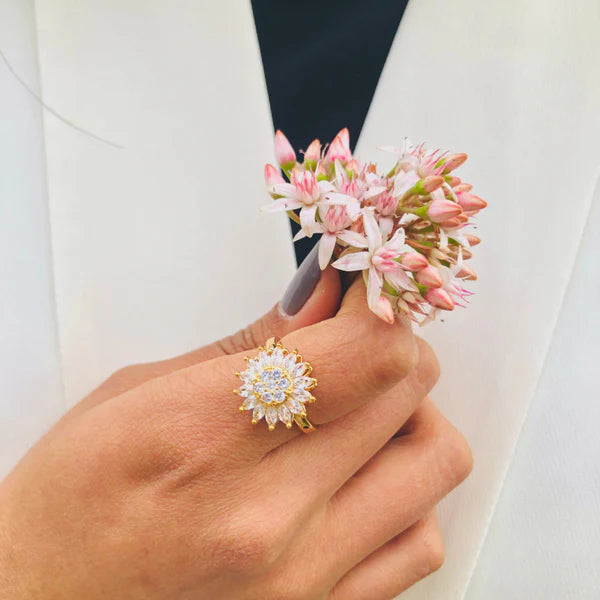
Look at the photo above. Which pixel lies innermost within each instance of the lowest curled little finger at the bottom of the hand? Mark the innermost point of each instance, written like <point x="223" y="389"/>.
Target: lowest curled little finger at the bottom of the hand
<point x="400" y="563"/>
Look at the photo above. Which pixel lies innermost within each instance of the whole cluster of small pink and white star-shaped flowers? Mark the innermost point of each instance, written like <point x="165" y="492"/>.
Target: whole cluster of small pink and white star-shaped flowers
<point x="405" y="230"/>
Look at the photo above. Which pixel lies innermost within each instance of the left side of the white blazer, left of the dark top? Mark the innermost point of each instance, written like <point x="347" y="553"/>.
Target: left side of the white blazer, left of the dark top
<point x="157" y="248"/>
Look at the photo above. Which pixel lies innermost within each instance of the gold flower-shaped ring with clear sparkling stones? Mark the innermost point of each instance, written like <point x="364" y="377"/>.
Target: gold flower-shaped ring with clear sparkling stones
<point x="276" y="385"/>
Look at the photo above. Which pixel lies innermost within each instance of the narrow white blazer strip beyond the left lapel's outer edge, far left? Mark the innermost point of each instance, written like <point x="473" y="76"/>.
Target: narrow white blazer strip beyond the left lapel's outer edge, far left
<point x="31" y="396"/>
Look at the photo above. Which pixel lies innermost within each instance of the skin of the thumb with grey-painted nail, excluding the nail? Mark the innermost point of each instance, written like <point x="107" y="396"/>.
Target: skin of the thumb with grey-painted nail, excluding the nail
<point x="322" y="304"/>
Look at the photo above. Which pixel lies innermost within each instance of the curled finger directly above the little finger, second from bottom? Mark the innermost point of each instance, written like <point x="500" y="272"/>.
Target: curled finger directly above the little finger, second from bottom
<point x="400" y="484"/>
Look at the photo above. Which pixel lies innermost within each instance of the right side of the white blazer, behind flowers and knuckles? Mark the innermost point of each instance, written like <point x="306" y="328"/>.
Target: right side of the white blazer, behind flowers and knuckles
<point x="516" y="85"/>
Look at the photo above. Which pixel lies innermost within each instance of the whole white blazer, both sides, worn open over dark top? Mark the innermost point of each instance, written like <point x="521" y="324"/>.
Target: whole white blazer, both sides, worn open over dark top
<point x="111" y="256"/>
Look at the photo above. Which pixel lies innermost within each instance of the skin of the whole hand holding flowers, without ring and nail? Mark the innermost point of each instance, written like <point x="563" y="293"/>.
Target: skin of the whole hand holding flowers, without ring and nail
<point x="155" y="487"/>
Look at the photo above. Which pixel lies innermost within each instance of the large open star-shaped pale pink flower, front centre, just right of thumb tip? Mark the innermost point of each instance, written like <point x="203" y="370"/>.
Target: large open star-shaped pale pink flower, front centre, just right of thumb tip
<point x="379" y="260"/>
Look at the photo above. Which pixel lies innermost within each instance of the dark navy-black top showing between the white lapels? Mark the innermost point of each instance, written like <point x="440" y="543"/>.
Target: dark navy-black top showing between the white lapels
<point x="322" y="61"/>
